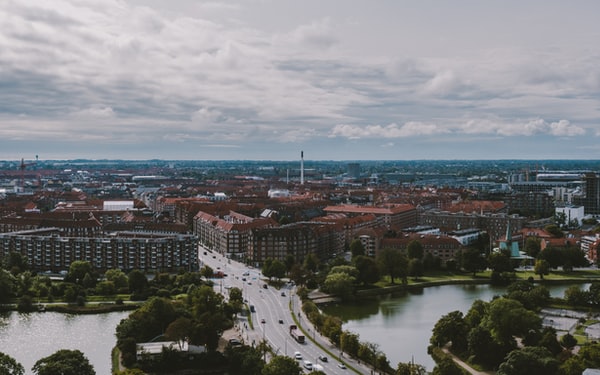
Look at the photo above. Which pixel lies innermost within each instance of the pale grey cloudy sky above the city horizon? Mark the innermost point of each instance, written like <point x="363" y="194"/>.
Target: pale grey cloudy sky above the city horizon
<point x="264" y="79"/>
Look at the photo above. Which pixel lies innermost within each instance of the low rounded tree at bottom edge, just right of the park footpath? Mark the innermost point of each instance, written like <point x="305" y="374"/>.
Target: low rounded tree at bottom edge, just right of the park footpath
<point x="529" y="360"/>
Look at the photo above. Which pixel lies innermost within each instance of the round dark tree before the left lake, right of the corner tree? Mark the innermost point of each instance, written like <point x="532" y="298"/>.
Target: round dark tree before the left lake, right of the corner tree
<point x="64" y="362"/>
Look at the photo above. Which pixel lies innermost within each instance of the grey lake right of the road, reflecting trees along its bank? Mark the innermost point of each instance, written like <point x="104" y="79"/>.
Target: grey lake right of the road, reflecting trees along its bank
<point x="401" y="324"/>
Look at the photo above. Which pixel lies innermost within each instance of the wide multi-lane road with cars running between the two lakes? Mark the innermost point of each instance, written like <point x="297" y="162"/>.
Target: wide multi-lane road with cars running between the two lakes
<point x="275" y="307"/>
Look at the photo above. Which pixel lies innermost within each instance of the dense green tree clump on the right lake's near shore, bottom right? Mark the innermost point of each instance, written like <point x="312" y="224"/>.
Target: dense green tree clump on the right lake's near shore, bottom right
<point x="506" y="334"/>
